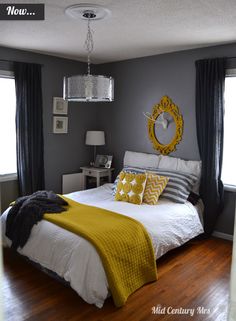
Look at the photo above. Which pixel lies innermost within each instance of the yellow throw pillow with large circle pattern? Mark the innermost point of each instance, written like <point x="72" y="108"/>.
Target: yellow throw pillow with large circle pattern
<point x="130" y="187"/>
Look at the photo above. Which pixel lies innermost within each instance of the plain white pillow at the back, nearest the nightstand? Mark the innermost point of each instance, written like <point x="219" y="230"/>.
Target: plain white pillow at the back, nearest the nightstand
<point x="141" y="160"/>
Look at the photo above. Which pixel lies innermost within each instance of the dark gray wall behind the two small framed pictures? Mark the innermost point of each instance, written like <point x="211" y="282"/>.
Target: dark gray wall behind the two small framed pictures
<point x="63" y="153"/>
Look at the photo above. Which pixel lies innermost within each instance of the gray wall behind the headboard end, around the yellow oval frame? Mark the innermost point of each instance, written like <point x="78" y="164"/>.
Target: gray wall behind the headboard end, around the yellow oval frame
<point x="139" y="84"/>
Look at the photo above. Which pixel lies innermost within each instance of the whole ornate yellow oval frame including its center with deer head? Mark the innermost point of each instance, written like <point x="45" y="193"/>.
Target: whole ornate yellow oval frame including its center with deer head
<point x="165" y="117"/>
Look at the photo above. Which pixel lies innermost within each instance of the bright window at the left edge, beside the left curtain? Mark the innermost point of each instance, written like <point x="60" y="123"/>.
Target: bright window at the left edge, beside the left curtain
<point x="7" y="123"/>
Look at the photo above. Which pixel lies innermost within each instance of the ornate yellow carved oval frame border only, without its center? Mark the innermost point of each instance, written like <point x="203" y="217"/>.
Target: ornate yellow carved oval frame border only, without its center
<point x="165" y="106"/>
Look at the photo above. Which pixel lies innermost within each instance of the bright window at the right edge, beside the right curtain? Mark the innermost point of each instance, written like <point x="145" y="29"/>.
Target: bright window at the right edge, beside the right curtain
<point x="229" y="155"/>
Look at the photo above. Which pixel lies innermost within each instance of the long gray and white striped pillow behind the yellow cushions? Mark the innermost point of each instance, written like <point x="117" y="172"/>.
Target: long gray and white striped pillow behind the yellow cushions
<point x="178" y="187"/>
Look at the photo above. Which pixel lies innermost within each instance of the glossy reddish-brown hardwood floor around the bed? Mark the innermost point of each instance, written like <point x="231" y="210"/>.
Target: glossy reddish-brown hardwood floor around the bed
<point x="193" y="276"/>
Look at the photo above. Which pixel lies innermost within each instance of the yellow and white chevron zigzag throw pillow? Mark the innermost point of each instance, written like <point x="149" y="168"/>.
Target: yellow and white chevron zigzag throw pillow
<point x="154" y="187"/>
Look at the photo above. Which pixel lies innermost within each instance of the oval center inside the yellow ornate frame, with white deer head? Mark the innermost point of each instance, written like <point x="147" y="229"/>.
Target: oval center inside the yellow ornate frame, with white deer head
<point x="165" y="136"/>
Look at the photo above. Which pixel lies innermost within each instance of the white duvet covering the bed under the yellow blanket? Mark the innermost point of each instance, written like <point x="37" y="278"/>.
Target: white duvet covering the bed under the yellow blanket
<point x="75" y="259"/>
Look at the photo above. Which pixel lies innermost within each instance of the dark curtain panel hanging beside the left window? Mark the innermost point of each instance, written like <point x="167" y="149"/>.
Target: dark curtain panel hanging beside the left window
<point x="29" y="127"/>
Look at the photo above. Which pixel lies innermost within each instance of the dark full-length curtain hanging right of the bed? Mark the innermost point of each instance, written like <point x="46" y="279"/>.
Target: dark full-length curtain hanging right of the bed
<point x="210" y="80"/>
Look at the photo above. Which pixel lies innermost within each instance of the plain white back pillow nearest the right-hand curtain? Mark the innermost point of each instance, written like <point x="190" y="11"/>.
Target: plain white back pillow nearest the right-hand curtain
<point x="181" y="165"/>
